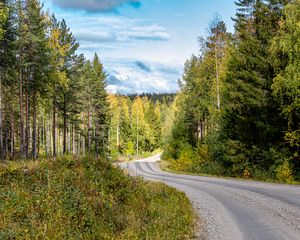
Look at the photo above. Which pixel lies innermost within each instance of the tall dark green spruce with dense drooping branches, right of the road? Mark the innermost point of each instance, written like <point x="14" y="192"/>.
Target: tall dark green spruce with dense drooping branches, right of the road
<point x="251" y="119"/>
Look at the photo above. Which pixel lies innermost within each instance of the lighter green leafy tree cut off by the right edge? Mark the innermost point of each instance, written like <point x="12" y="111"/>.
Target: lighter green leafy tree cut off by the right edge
<point x="286" y="86"/>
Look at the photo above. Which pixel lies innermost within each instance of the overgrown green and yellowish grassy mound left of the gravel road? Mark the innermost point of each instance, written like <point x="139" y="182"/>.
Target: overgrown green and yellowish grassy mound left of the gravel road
<point x="87" y="199"/>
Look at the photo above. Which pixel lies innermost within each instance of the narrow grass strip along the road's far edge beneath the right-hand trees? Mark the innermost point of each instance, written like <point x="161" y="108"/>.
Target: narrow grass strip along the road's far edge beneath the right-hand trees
<point x="167" y="167"/>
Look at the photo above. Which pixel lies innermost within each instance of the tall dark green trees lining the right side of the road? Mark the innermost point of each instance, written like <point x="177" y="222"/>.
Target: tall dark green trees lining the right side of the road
<point x="238" y="111"/>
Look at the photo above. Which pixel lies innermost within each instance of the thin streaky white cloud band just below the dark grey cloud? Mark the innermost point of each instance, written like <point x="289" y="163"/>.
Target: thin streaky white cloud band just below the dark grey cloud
<point x="114" y="29"/>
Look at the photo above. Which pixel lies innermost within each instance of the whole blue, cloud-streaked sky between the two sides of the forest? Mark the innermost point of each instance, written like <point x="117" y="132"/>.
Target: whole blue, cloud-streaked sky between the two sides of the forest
<point x="143" y="44"/>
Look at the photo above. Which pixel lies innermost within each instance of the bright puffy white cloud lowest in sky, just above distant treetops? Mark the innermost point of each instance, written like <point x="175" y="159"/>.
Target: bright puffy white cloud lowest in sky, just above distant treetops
<point x="129" y="77"/>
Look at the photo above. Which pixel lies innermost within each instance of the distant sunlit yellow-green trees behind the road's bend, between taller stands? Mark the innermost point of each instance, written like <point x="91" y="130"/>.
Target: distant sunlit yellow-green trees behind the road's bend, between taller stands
<point x="139" y="124"/>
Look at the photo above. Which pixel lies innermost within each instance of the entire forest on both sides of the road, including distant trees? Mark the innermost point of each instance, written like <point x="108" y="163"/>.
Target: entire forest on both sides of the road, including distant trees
<point x="236" y="114"/>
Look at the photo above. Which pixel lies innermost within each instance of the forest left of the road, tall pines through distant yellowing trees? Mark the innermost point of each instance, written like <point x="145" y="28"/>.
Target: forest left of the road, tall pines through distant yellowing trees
<point x="53" y="101"/>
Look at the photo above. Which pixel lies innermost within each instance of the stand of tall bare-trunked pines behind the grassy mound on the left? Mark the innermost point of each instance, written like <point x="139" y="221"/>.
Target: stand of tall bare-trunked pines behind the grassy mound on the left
<point x="52" y="100"/>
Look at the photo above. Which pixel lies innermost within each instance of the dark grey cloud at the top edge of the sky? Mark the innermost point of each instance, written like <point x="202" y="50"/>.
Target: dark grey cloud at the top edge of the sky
<point x="94" y="5"/>
